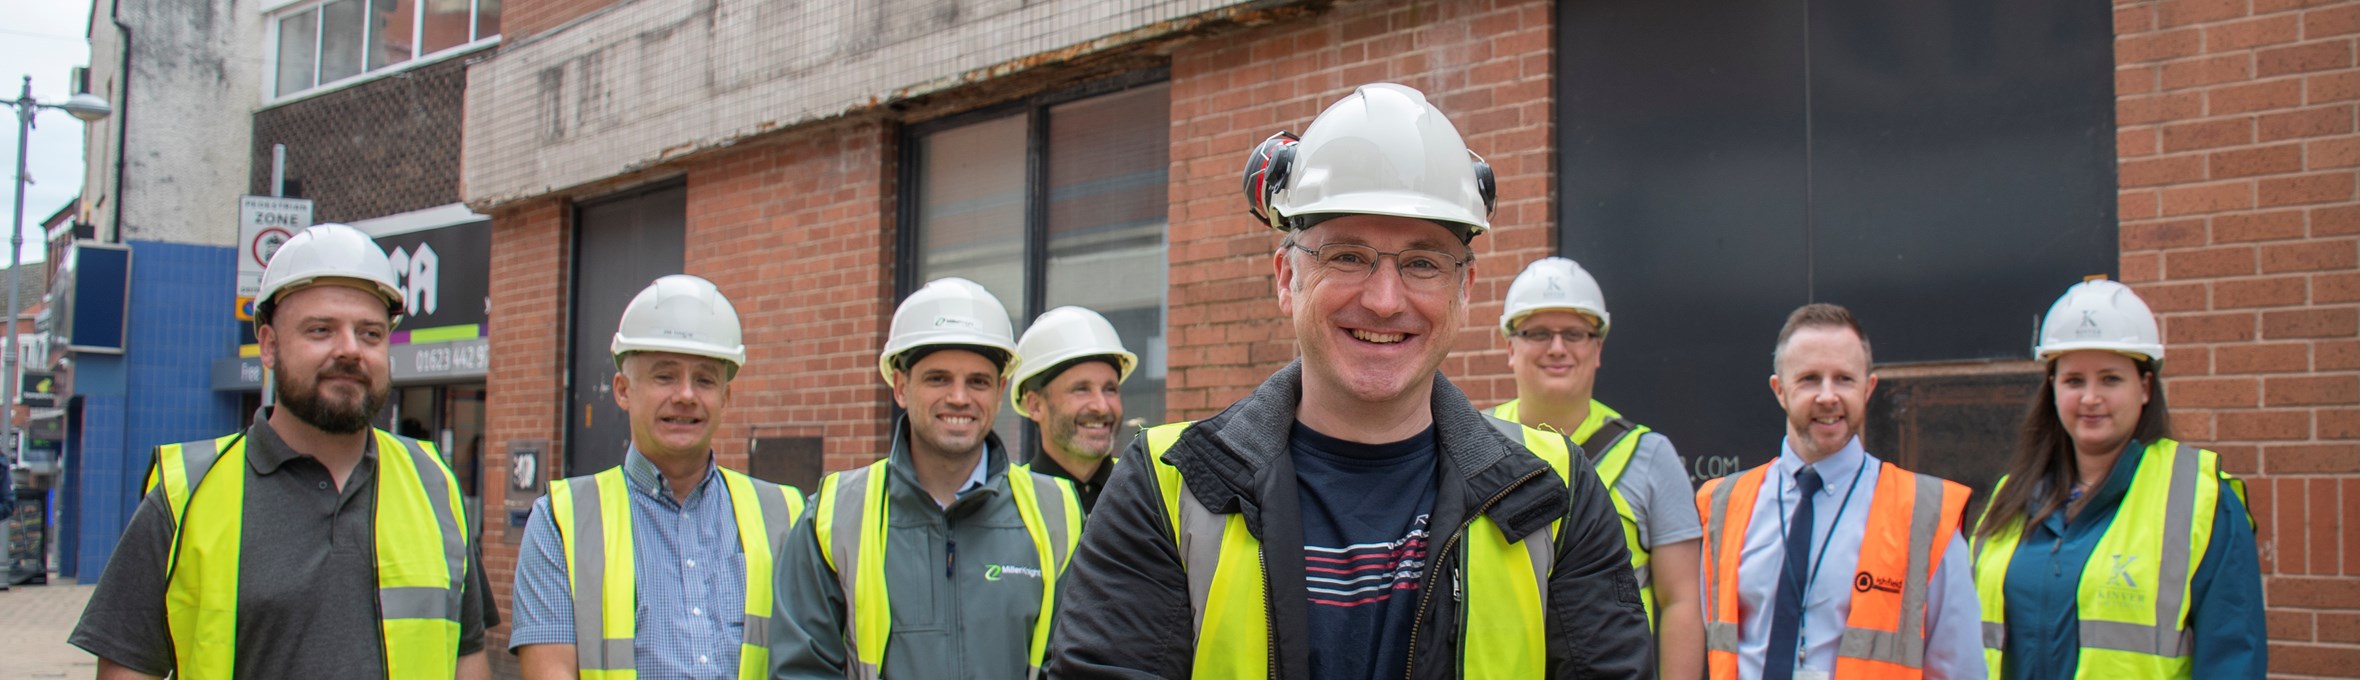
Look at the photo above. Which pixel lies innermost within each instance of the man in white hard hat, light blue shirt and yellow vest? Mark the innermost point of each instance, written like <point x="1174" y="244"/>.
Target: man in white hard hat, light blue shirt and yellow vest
<point x="667" y="540"/>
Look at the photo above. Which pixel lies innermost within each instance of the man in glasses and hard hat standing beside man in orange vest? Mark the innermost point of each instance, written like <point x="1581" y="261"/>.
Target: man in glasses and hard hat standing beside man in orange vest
<point x="1556" y="322"/>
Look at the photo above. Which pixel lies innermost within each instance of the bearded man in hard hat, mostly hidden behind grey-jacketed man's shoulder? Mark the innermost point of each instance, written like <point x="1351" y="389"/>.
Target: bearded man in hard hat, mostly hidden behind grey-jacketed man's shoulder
<point x="1073" y="388"/>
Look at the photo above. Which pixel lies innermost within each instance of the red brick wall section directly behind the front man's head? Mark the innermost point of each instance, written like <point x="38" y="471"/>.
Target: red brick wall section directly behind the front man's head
<point x="1486" y="65"/>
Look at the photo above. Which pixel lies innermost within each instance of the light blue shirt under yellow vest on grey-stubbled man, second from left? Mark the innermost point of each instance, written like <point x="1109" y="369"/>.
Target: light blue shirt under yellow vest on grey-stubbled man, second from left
<point x="690" y="575"/>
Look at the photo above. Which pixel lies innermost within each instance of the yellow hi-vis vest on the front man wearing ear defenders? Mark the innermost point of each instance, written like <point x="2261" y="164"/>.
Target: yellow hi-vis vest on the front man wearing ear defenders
<point x="1507" y="584"/>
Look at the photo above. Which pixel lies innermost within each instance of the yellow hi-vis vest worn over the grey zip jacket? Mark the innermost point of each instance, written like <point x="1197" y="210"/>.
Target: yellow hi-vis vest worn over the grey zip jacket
<point x="851" y="528"/>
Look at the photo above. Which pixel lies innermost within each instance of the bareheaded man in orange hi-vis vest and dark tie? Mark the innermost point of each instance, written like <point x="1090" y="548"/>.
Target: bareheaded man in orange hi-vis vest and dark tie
<point x="1830" y="563"/>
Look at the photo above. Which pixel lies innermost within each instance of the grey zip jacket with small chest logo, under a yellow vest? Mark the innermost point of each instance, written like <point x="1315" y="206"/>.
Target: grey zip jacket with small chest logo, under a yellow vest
<point x="964" y="582"/>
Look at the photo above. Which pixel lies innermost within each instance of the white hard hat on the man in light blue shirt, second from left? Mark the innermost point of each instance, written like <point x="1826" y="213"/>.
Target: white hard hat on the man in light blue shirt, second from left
<point x="683" y="315"/>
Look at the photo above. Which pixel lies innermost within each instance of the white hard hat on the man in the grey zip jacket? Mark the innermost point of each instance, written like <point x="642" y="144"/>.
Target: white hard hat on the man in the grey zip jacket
<point x="950" y="313"/>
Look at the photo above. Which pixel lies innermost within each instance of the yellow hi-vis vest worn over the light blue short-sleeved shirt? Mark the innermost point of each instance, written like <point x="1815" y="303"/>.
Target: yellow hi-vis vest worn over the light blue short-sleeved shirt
<point x="603" y="573"/>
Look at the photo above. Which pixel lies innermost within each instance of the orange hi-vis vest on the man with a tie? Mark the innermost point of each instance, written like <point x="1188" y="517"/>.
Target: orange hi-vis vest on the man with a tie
<point x="1884" y="636"/>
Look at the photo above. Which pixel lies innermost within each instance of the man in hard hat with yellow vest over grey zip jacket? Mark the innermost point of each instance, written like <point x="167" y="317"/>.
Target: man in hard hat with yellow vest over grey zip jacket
<point x="940" y="561"/>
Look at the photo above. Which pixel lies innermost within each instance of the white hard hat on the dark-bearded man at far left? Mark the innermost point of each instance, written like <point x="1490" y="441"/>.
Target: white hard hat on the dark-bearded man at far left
<point x="322" y="256"/>
